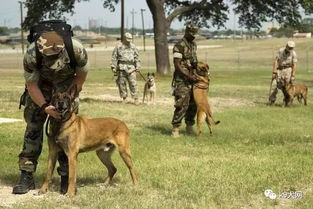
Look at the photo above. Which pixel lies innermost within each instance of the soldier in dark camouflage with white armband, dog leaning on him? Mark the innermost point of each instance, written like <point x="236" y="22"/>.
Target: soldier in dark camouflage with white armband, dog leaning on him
<point x="185" y="60"/>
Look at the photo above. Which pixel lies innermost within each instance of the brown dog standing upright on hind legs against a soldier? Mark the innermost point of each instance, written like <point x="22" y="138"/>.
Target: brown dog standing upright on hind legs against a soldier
<point x="200" y="90"/>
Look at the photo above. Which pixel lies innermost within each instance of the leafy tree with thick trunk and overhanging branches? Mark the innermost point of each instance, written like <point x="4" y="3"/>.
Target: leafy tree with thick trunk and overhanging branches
<point x="205" y="13"/>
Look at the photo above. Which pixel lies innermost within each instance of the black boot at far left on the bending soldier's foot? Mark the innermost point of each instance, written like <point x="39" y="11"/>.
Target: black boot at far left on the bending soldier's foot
<point x="25" y="183"/>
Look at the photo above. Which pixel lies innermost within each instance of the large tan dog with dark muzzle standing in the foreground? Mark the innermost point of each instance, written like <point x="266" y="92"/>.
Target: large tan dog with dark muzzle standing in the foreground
<point x="79" y="134"/>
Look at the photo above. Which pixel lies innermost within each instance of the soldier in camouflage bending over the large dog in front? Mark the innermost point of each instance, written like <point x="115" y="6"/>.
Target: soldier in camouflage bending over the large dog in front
<point x="57" y="74"/>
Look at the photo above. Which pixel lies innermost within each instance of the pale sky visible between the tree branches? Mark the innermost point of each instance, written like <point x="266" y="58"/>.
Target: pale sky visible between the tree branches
<point x="10" y="14"/>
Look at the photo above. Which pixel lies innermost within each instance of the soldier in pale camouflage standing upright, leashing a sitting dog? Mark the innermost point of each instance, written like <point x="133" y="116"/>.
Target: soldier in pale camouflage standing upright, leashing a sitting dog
<point x="125" y="63"/>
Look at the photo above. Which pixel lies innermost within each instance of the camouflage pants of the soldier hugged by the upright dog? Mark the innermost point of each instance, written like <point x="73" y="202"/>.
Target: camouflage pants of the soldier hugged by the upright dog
<point x="185" y="106"/>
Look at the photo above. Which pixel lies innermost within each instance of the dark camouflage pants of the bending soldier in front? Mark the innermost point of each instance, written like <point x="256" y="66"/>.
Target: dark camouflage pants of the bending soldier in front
<point x="33" y="137"/>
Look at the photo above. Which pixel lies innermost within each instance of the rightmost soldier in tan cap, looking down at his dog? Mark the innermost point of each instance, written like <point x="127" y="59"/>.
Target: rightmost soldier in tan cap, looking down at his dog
<point x="284" y="70"/>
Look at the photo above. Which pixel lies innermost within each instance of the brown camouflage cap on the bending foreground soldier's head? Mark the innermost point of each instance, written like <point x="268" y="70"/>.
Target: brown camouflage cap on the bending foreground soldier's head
<point x="50" y="43"/>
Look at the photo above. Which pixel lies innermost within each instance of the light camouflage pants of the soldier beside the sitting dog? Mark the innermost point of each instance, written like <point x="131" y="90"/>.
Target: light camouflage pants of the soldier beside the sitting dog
<point x="122" y="79"/>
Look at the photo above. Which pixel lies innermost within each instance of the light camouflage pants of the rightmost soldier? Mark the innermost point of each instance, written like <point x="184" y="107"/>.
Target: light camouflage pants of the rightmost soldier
<point x="282" y="79"/>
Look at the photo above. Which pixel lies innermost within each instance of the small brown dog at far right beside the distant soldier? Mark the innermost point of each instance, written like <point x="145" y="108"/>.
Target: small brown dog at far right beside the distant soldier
<point x="296" y="90"/>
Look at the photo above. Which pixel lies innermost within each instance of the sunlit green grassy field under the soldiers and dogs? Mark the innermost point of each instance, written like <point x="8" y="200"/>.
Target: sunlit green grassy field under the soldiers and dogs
<point x="256" y="147"/>
